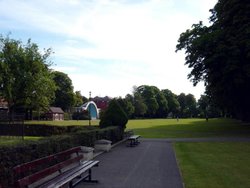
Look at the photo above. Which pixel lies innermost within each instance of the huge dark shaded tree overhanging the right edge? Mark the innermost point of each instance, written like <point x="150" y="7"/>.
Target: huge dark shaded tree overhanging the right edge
<point x="220" y="55"/>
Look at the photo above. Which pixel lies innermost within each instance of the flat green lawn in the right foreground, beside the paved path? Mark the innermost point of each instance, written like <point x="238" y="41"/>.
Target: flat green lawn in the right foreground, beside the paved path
<point x="214" y="165"/>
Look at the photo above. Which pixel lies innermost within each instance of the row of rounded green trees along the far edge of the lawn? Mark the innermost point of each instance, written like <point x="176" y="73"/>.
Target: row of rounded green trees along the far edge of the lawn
<point x="150" y="102"/>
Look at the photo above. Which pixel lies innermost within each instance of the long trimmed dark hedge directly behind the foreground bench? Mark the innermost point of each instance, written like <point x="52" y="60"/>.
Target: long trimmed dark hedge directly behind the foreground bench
<point x="12" y="156"/>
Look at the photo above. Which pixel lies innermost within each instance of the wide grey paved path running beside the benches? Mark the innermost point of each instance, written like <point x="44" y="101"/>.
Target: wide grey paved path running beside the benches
<point x="151" y="164"/>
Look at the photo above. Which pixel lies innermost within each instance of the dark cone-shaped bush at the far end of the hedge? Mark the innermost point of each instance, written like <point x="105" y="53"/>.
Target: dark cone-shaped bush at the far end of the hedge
<point x="114" y="115"/>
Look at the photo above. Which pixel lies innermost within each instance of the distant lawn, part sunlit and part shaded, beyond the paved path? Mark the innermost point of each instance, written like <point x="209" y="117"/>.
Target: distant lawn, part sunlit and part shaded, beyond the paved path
<point x="187" y="128"/>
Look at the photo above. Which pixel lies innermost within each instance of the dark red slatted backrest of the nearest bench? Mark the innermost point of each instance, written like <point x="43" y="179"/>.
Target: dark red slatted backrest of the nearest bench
<point x="33" y="171"/>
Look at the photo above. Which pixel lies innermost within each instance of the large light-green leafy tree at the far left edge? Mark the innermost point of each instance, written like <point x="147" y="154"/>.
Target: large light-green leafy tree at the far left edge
<point x="25" y="78"/>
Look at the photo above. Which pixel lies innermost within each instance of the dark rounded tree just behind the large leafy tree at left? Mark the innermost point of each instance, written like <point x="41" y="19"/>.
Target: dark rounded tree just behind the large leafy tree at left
<point x="64" y="95"/>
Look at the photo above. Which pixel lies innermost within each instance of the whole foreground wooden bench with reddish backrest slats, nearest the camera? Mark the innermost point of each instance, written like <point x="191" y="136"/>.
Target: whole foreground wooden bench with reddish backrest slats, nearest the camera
<point x="64" y="168"/>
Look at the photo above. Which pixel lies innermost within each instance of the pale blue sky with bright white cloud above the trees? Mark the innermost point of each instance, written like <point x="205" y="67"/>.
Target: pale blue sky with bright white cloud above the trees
<point x="107" y="47"/>
